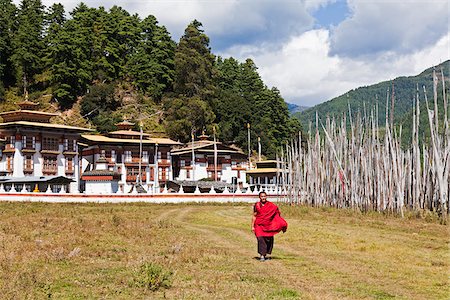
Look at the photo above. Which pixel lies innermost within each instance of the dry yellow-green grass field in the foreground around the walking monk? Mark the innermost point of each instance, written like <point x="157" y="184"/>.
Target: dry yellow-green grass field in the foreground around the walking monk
<point x="189" y="251"/>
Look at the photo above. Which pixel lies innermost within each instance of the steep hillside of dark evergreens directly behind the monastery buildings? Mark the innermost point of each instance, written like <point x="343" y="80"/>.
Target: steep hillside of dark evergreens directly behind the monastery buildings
<point x="97" y="66"/>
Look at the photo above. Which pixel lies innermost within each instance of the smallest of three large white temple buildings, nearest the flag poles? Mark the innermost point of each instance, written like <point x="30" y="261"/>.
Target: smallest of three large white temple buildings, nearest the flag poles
<point x="231" y="162"/>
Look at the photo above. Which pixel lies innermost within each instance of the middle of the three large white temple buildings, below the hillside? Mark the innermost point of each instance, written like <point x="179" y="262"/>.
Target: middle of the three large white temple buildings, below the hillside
<point x="136" y="156"/>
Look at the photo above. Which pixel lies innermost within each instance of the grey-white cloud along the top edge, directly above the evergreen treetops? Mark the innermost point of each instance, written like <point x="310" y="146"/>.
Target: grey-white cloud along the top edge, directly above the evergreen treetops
<point x="226" y="22"/>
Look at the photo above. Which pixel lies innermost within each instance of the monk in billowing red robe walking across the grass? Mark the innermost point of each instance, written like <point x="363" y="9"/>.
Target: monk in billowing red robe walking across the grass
<point x="266" y="222"/>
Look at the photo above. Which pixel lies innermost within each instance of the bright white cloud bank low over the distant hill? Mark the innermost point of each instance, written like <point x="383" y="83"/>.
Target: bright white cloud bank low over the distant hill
<point x="306" y="74"/>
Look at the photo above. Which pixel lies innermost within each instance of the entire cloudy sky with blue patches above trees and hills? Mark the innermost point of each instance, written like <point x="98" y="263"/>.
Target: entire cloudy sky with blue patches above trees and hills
<point x="312" y="50"/>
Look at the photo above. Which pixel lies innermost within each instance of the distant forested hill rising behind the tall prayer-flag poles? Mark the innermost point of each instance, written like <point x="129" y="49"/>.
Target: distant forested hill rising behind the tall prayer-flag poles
<point x="402" y="89"/>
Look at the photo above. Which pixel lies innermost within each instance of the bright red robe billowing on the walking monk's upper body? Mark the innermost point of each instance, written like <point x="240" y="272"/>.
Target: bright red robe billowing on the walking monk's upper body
<point x="268" y="221"/>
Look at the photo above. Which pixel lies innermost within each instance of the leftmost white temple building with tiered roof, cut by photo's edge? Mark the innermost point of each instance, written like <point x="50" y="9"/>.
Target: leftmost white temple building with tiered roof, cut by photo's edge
<point x="35" y="148"/>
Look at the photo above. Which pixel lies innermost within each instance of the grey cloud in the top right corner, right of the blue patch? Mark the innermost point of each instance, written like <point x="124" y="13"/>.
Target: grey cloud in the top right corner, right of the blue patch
<point x="390" y="25"/>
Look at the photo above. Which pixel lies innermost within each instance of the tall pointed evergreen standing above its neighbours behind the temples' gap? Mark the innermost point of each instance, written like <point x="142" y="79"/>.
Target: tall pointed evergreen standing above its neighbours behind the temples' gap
<point x="194" y="73"/>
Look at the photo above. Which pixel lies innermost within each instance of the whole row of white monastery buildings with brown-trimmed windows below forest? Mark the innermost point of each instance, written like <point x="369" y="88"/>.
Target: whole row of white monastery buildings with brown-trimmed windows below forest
<point x="39" y="156"/>
